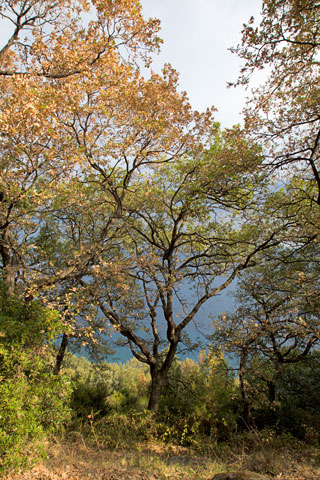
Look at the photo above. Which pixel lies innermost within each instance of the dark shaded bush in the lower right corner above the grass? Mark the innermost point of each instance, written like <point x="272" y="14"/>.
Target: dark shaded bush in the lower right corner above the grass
<point x="285" y="398"/>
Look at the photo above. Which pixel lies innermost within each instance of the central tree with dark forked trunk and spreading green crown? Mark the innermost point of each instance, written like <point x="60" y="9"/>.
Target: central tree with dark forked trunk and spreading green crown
<point x="184" y="244"/>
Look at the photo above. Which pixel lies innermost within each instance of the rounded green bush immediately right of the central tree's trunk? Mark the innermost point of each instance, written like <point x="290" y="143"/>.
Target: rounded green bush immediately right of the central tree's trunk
<point x="199" y="401"/>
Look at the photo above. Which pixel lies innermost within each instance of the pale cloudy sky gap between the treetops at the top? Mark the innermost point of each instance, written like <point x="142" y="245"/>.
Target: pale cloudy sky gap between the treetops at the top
<point x="197" y="35"/>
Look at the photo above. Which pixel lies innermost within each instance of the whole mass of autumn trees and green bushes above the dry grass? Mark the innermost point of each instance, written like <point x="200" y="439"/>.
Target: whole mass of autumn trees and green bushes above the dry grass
<point x="123" y="211"/>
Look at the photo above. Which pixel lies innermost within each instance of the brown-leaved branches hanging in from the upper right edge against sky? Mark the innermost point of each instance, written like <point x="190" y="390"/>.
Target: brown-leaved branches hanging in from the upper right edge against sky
<point x="283" y="113"/>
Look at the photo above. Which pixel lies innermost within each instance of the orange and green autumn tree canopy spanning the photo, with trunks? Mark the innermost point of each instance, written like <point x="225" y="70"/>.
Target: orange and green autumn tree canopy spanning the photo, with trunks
<point x="125" y="210"/>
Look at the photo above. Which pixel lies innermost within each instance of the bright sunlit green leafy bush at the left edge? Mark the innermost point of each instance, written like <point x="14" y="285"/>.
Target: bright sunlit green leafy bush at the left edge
<point x="33" y="402"/>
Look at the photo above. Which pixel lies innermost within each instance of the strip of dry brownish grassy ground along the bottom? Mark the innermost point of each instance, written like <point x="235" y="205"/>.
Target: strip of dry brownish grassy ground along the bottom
<point x="77" y="459"/>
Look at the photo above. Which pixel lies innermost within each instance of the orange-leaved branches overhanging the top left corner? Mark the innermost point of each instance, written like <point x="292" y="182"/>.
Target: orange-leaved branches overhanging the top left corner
<point x="60" y="42"/>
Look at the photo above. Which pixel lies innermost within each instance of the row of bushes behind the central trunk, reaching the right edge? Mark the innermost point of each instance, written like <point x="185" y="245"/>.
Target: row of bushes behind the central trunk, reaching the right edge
<point x="202" y="401"/>
